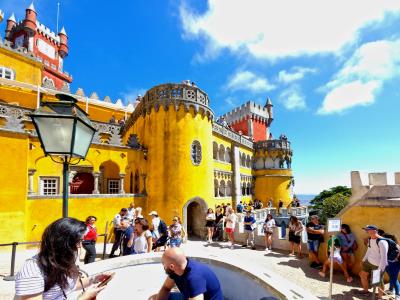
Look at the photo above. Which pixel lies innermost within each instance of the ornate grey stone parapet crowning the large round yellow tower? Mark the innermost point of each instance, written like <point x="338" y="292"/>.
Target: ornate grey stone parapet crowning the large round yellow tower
<point x="175" y="95"/>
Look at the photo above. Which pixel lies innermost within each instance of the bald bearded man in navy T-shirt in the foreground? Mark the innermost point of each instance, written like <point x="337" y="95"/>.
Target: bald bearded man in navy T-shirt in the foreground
<point x="194" y="280"/>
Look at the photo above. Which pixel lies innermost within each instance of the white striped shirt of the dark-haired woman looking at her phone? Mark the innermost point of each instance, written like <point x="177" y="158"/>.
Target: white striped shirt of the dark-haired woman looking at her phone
<point x="30" y="281"/>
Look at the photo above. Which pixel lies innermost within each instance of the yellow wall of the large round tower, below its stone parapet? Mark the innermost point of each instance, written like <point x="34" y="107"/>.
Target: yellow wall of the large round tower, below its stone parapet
<point x="172" y="179"/>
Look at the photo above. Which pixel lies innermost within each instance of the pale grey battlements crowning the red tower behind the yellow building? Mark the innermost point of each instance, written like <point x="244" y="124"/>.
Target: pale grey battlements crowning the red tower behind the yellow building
<point x="248" y="110"/>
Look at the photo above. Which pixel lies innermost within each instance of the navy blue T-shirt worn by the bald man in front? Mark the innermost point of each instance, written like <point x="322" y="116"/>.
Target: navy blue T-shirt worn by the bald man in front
<point x="198" y="279"/>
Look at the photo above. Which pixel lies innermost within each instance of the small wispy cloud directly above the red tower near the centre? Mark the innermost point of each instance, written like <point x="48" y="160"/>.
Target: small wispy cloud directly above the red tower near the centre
<point x="246" y="80"/>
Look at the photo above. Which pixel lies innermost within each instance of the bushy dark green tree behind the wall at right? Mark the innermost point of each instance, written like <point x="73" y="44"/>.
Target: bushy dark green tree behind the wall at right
<point x="329" y="203"/>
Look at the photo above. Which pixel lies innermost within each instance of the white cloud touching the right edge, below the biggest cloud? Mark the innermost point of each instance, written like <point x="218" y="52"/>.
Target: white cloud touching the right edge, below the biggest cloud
<point x="362" y="76"/>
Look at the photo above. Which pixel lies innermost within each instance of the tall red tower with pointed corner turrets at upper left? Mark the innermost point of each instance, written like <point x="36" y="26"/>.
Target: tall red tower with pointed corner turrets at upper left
<point x="48" y="47"/>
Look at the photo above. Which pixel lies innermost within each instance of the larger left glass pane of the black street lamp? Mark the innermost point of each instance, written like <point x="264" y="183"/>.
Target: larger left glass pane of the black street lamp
<point x="55" y="133"/>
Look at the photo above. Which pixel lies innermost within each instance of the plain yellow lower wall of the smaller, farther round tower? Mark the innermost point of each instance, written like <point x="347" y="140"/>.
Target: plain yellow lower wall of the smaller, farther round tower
<point x="274" y="185"/>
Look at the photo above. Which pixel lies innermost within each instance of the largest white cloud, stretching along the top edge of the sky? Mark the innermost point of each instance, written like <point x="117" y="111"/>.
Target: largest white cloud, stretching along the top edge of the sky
<point x="276" y="29"/>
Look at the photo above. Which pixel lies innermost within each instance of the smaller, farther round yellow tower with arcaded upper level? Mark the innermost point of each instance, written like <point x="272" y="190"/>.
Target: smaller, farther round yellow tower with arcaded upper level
<point x="272" y="171"/>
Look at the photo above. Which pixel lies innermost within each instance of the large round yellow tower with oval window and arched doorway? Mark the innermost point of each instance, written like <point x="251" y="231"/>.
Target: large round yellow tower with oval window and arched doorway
<point x="173" y="122"/>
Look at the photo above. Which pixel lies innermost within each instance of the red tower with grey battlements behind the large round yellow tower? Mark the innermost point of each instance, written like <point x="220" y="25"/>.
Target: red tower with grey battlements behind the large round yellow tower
<point x="251" y="119"/>
